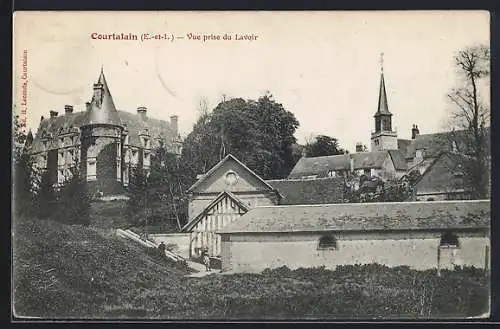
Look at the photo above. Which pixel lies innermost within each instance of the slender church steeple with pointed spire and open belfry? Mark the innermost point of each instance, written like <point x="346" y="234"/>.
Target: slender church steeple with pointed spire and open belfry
<point x="383" y="138"/>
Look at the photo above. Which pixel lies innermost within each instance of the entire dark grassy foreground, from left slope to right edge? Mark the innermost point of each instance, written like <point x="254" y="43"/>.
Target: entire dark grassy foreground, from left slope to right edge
<point x="66" y="271"/>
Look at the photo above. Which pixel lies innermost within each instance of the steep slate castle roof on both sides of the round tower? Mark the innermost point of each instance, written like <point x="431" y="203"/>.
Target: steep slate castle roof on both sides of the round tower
<point x="70" y="122"/>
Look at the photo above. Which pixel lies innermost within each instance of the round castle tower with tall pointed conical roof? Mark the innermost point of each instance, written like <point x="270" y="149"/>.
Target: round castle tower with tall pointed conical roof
<point x="101" y="136"/>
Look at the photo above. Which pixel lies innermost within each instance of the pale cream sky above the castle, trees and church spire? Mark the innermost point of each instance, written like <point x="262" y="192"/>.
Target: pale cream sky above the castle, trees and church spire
<point x="322" y="66"/>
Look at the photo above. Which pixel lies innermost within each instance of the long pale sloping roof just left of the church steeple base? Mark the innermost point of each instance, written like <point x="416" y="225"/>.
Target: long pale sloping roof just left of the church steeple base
<point x="321" y="165"/>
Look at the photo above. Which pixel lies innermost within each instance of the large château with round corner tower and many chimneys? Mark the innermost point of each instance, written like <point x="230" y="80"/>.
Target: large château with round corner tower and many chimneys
<point x="103" y="141"/>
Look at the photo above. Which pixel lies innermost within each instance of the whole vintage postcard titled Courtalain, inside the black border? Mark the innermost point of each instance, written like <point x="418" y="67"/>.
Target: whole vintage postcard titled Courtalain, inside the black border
<point x="263" y="165"/>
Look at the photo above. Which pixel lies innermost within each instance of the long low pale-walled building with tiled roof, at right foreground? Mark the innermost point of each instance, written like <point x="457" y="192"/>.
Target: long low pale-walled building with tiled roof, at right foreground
<point x="421" y="235"/>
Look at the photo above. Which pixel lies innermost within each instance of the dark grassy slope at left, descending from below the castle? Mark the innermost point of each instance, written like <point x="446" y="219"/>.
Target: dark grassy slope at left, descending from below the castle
<point x="73" y="271"/>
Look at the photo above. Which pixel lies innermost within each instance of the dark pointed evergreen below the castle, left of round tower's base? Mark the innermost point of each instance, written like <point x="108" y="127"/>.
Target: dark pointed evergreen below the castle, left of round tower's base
<point x="74" y="202"/>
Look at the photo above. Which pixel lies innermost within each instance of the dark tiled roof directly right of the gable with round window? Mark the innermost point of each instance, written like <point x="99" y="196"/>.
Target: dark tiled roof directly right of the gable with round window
<point x="309" y="191"/>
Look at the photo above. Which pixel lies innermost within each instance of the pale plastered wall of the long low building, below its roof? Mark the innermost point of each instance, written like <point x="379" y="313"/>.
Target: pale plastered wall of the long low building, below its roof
<point x="254" y="253"/>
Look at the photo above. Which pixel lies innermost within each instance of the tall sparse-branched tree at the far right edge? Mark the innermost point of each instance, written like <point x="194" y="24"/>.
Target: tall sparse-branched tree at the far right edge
<point x="471" y="115"/>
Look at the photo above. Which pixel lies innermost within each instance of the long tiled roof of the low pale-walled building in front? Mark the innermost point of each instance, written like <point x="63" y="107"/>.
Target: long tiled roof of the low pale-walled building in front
<point x="364" y="216"/>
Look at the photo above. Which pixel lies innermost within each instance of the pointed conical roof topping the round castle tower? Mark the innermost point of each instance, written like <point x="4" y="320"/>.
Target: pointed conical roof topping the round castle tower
<point x="102" y="109"/>
